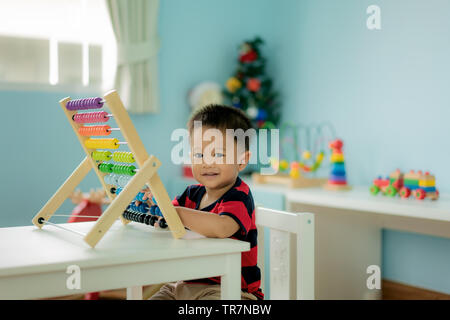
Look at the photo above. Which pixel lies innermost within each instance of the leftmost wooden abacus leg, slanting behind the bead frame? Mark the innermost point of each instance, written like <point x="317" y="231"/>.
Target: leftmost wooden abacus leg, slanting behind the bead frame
<point x="63" y="192"/>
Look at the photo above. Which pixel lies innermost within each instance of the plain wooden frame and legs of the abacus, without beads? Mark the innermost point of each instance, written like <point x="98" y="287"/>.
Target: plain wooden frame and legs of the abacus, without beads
<point x="147" y="174"/>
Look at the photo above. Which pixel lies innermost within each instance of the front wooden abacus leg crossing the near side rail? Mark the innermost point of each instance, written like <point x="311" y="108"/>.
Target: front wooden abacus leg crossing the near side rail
<point x="120" y="203"/>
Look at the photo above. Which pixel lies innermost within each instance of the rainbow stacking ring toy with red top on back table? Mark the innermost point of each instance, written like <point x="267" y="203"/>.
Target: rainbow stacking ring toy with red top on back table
<point x="337" y="180"/>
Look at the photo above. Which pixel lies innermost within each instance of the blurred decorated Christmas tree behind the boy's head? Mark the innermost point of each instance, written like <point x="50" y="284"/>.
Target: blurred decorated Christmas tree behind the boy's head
<point x="250" y="89"/>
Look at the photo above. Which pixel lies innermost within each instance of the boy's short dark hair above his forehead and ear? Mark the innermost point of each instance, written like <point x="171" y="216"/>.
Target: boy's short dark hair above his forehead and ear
<point x="221" y="117"/>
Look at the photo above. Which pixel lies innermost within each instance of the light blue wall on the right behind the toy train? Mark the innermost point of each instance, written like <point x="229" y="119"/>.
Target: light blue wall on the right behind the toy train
<point x="387" y="94"/>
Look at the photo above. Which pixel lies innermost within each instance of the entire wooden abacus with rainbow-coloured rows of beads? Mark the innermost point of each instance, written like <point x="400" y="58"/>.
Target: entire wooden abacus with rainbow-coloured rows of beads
<point x="121" y="180"/>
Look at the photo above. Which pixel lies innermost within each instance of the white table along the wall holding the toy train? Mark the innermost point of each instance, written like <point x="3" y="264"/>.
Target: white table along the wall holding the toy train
<point x="348" y="232"/>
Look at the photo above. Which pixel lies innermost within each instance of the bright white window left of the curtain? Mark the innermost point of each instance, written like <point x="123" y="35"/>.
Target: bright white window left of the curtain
<point x="56" y="42"/>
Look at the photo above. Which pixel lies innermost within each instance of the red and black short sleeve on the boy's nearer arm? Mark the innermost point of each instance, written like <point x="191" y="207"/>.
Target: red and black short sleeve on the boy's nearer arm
<point x="239" y="207"/>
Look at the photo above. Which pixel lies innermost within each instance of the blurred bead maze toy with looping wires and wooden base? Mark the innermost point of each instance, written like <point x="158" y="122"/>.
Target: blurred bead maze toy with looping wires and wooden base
<point x="298" y="173"/>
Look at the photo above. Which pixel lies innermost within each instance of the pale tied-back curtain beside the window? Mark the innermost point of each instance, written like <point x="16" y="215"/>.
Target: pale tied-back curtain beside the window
<point x="135" y="27"/>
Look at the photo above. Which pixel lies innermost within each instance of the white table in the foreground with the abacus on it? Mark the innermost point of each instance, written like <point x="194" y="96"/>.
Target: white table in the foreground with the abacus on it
<point x="34" y="262"/>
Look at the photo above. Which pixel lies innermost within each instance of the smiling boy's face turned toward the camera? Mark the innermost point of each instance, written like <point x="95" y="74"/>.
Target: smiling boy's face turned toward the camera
<point x="216" y="157"/>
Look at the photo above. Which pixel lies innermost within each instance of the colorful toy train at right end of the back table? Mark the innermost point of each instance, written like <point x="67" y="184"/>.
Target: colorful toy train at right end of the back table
<point x="418" y="184"/>
